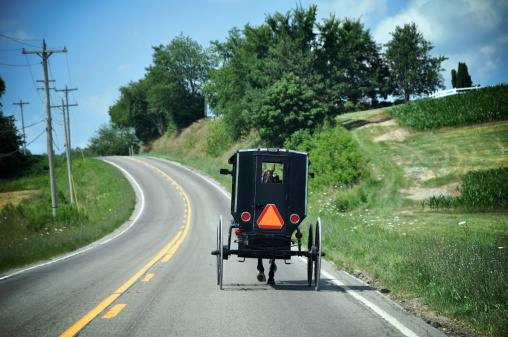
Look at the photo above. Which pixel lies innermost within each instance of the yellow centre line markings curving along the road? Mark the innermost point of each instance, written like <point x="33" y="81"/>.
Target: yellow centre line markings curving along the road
<point x="167" y="252"/>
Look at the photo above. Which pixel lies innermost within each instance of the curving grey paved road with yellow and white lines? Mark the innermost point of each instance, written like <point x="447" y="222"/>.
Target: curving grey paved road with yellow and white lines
<point x="155" y="276"/>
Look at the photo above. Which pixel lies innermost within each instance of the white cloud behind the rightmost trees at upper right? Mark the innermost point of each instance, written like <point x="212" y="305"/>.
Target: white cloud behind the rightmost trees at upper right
<point x="470" y="31"/>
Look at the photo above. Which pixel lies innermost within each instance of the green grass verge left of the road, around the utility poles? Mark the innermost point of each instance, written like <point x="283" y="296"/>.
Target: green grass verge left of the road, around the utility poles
<point x="29" y="232"/>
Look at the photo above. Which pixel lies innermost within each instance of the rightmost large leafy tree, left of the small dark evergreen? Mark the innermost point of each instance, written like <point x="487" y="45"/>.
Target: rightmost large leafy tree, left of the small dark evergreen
<point x="413" y="71"/>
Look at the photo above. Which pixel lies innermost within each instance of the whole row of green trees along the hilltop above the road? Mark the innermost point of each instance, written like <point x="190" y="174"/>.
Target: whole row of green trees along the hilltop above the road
<point x="283" y="78"/>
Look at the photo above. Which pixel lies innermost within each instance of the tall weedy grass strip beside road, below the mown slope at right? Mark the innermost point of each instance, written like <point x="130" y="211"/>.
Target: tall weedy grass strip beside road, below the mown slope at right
<point x="450" y="261"/>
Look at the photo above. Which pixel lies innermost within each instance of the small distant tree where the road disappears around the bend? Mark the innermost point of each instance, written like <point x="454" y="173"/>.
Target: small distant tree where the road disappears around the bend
<point x="111" y="140"/>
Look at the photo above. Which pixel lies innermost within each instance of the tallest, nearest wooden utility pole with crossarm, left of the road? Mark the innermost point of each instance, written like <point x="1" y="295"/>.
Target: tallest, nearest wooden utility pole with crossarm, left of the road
<point x="45" y="54"/>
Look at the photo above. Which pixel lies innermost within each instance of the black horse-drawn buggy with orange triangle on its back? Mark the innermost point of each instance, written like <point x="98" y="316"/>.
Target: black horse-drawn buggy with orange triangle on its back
<point x="268" y="204"/>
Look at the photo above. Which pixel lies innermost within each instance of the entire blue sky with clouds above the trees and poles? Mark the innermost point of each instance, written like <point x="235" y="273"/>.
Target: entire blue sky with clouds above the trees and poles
<point x="109" y="44"/>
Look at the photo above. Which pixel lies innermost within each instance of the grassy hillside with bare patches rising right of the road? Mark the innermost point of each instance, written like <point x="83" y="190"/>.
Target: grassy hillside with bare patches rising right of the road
<point x="393" y="239"/>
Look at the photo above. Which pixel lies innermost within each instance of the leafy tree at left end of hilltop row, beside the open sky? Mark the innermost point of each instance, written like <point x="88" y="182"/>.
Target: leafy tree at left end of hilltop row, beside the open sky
<point x="169" y="96"/>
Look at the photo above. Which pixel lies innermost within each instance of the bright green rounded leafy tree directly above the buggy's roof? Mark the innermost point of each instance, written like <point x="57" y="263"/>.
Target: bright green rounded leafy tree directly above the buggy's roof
<point x="290" y="105"/>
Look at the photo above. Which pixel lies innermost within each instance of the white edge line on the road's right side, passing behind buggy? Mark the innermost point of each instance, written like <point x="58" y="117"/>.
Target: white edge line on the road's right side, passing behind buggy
<point x="390" y="319"/>
